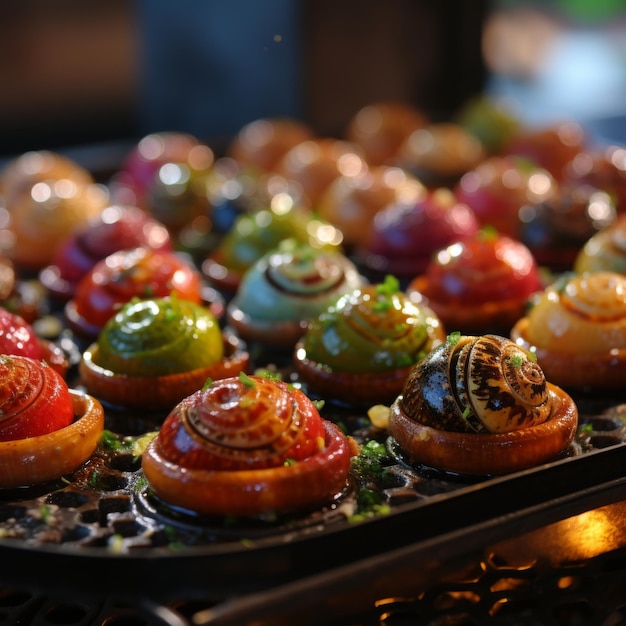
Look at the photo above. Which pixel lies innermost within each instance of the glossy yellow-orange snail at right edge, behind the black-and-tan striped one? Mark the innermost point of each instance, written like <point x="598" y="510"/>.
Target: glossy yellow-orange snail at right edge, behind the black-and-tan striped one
<point x="577" y="328"/>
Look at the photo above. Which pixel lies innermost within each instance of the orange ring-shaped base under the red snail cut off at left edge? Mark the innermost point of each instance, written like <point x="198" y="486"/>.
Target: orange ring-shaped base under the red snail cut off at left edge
<point x="47" y="457"/>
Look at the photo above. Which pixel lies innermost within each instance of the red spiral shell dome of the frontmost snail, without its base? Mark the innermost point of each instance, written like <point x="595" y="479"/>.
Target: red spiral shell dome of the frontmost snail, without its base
<point x="243" y="423"/>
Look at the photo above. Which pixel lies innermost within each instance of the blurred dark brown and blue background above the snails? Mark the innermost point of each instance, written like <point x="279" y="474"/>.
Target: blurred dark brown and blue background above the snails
<point x="109" y="71"/>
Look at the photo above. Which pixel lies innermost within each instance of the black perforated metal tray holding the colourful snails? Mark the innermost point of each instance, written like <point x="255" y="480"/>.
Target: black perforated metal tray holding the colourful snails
<point x="103" y="518"/>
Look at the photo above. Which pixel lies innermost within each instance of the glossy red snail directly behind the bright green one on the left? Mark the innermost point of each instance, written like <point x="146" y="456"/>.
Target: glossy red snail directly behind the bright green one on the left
<point x="135" y="272"/>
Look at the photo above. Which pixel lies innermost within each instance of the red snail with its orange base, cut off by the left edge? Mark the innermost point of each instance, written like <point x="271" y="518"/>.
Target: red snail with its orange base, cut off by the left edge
<point x="46" y="428"/>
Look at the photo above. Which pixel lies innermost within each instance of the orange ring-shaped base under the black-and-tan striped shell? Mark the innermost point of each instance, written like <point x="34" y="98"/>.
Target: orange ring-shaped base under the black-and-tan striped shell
<point x="487" y="453"/>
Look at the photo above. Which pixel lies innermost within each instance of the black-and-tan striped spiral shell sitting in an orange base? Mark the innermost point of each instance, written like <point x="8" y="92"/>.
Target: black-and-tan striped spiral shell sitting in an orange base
<point x="481" y="384"/>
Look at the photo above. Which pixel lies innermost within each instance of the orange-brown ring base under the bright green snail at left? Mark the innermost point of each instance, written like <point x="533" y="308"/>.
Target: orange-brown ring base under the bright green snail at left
<point x="152" y="393"/>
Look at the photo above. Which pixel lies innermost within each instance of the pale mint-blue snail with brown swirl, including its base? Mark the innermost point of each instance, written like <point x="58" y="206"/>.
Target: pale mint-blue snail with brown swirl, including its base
<point x="285" y="288"/>
